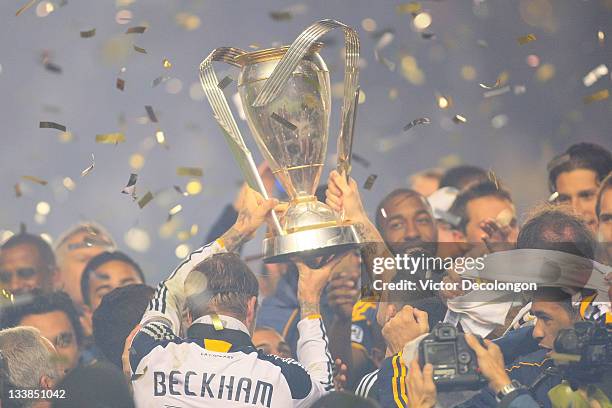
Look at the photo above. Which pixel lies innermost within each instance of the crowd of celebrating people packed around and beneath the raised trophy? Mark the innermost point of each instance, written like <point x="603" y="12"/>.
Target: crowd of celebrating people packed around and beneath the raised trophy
<point x="82" y="327"/>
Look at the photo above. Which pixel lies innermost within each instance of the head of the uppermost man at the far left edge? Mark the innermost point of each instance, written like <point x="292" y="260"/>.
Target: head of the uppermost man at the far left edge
<point x="27" y="262"/>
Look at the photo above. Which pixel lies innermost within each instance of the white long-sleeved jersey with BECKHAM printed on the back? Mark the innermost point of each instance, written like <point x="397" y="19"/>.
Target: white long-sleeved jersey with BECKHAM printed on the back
<point x="220" y="368"/>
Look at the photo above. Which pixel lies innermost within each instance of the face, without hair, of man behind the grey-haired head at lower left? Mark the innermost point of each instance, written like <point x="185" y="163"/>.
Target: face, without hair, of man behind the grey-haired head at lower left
<point x="56" y="327"/>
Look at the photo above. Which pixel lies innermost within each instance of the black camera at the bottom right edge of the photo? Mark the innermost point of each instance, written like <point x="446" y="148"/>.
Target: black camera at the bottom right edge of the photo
<point x="583" y="353"/>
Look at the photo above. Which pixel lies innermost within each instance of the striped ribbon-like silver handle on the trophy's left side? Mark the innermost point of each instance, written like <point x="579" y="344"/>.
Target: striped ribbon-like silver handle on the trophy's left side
<point x="226" y="121"/>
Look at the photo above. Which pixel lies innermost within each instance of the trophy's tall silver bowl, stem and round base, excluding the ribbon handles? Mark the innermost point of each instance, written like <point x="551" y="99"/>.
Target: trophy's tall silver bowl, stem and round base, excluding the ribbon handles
<point x="291" y="133"/>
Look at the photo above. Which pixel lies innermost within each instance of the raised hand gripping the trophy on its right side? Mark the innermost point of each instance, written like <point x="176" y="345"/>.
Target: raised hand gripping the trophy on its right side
<point x="344" y="196"/>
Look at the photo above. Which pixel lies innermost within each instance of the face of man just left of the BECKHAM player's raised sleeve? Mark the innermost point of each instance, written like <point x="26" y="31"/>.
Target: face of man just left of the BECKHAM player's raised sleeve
<point x="111" y="275"/>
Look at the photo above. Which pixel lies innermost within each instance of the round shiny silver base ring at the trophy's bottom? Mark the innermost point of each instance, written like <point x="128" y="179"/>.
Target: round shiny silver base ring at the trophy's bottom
<point x="310" y="243"/>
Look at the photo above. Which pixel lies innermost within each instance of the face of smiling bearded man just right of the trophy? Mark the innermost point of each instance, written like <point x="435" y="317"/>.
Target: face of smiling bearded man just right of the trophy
<point x="408" y="224"/>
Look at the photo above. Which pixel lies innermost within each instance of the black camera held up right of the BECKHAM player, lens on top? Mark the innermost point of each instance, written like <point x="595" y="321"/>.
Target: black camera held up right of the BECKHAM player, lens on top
<point x="454" y="363"/>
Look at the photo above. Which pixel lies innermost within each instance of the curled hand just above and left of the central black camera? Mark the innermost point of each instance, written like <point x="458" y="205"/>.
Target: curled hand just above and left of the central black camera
<point x="408" y="324"/>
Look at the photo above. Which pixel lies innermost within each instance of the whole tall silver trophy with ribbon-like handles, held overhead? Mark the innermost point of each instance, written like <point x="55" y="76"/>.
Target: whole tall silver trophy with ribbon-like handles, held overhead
<point x="286" y="97"/>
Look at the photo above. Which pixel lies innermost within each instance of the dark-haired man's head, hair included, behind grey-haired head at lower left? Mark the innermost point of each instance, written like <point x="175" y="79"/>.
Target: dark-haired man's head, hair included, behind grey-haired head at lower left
<point x="55" y="316"/>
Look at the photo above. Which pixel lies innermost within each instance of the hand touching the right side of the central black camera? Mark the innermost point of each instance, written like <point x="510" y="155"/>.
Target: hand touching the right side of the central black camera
<point x="490" y="362"/>
